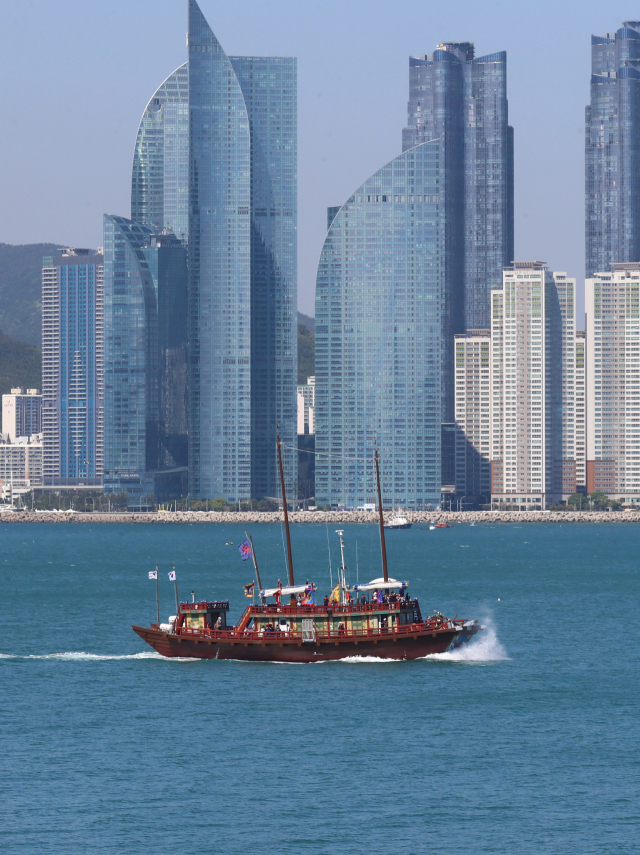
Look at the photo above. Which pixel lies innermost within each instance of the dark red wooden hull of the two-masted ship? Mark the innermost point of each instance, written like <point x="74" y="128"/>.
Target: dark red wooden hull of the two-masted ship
<point x="384" y="646"/>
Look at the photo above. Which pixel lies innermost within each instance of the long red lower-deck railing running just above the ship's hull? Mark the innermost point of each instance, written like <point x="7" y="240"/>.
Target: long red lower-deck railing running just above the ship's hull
<point x="321" y="634"/>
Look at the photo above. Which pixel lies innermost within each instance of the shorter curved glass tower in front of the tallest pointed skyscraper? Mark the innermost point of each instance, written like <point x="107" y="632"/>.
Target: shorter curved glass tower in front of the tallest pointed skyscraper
<point x="145" y="366"/>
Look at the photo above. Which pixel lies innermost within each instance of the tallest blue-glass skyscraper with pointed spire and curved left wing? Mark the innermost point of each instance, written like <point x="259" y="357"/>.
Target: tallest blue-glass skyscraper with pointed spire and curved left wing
<point x="215" y="161"/>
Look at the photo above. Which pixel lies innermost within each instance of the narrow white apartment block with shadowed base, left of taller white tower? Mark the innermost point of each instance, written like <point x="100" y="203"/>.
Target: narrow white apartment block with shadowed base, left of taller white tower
<point x="473" y="416"/>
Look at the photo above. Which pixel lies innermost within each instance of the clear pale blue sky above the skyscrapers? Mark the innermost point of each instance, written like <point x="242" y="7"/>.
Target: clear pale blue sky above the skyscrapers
<point x="77" y="75"/>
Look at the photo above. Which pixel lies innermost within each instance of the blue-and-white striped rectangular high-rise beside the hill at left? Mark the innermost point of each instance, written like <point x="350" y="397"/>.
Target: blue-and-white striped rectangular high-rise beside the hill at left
<point x="72" y="368"/>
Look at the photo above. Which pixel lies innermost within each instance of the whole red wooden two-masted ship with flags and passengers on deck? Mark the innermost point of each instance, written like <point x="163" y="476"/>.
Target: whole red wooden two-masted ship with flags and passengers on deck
<point x="377" y="619"/>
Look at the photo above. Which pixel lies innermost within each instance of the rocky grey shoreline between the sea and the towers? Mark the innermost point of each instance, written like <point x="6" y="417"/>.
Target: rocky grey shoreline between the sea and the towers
<point x="418" y="518"/>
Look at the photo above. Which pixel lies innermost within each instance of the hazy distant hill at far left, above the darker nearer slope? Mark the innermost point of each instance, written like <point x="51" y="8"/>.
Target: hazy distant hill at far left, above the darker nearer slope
<point x="21" y="287"/>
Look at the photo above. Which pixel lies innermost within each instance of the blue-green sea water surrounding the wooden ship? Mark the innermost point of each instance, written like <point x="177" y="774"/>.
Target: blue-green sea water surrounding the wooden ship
<point x="525" y="742"/>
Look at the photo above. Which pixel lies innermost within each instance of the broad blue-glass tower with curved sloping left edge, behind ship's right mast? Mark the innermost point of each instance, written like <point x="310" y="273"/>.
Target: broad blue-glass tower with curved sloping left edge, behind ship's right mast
<point x="381" y="298"/>
